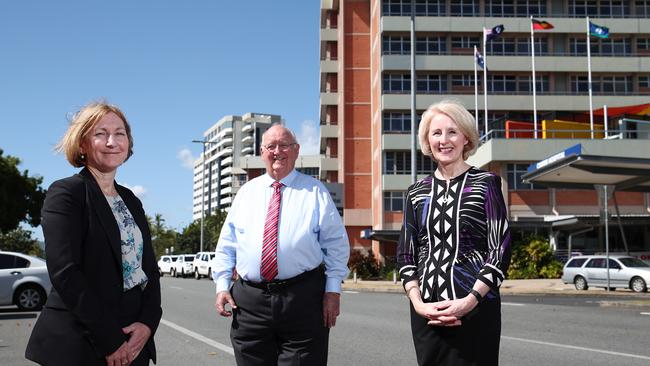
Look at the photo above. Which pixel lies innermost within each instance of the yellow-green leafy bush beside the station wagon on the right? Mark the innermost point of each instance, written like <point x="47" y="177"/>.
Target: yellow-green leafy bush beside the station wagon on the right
<point x="532" y="257"/>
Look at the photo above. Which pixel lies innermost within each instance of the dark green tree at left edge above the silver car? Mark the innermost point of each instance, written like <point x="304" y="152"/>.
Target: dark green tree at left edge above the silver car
<point x="21" y="196"/>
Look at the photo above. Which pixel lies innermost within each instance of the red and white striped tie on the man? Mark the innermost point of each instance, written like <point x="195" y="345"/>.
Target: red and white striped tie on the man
<point x="269" y="268"/>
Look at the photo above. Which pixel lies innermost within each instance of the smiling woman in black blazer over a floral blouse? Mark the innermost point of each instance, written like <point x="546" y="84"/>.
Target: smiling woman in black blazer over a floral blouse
<point x="104" y="307"/>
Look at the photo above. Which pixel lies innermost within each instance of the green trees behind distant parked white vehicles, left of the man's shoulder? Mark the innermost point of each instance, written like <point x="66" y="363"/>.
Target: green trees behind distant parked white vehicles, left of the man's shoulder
<point x="189" y="241"/>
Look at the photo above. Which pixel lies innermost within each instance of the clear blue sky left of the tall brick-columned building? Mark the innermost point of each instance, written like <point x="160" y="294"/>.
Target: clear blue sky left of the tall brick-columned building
<point x="174" y="67"/>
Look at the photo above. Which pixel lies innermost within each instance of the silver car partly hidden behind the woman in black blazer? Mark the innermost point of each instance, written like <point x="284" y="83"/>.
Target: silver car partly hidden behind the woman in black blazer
<point x="24" y="281"/>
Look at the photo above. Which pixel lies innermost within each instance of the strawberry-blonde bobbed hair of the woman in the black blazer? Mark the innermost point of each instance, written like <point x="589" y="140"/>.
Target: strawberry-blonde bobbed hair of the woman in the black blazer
<point x="81" y="124"/>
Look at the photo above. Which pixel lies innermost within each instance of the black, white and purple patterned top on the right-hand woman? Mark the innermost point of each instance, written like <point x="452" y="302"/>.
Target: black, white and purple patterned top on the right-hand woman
<point x="452" y="236"/>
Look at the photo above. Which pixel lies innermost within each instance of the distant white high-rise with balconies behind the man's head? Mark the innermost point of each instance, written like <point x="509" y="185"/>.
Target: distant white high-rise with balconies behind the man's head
<point x="232" y="157"/>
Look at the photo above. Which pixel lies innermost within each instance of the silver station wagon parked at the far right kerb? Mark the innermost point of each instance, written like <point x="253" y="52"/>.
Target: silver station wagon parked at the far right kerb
<point x="591" y="270"/>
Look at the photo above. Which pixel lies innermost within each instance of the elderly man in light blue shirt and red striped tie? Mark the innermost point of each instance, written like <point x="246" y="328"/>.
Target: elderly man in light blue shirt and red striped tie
<point x="286" y="240"/>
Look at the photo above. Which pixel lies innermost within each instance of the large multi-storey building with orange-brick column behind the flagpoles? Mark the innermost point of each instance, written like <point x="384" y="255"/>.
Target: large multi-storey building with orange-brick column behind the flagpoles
<point x="365" y="116"/>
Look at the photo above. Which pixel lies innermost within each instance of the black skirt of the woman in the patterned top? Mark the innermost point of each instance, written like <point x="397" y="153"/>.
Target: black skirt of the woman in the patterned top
<point x="474" y="343"/>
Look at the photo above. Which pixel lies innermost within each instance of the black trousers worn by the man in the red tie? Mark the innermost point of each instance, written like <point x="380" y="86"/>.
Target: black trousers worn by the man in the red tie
<point x="280" y="327"/>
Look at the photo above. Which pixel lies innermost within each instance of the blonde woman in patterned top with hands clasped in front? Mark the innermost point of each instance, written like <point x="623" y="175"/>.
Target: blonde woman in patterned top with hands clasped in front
<point x="454" y="247"/>
